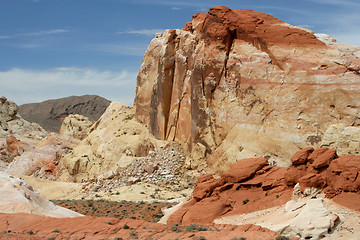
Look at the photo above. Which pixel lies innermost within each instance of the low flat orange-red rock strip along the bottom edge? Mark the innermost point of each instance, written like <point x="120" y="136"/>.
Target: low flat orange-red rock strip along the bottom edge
<point x="27" y="226"/>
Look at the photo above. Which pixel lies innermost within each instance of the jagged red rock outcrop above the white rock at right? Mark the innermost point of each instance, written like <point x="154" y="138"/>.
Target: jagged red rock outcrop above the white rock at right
<point x="264" y="186"/>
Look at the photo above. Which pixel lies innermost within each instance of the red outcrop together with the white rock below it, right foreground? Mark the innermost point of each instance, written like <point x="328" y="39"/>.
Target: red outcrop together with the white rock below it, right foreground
<point x="251" y="191"/>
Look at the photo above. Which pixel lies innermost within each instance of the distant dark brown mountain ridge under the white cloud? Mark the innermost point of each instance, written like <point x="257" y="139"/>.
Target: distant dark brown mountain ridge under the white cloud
<point x="49" y="114"/>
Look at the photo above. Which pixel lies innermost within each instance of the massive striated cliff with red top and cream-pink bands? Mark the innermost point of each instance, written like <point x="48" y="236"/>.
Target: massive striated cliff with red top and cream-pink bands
<point x="240" y="84"/>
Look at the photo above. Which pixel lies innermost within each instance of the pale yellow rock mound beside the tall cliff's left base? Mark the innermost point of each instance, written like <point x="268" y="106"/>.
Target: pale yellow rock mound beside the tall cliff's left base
<point x="114" y="140"/>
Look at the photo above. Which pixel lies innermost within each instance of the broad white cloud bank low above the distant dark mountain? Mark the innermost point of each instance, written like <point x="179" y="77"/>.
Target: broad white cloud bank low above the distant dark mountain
<point x="26" y="86"/>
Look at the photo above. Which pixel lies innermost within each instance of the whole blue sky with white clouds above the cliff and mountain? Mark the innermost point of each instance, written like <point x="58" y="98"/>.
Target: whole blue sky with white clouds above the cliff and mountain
<point x="57" y="48"/>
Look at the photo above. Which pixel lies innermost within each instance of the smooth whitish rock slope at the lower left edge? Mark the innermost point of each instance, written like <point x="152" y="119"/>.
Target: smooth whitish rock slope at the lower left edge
<point x="18" y="197"/>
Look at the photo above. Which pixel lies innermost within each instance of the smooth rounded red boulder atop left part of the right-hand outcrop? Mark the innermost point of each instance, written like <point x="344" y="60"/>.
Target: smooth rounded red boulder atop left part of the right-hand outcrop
<point x="244" y="169"/>
